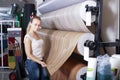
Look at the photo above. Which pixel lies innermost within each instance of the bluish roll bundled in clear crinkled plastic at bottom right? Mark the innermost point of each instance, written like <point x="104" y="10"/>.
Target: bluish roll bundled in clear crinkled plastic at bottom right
<point x="104" y="68"/>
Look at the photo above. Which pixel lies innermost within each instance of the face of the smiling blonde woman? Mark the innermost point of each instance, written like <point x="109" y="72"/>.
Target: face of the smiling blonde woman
<point x="36" y="25"/>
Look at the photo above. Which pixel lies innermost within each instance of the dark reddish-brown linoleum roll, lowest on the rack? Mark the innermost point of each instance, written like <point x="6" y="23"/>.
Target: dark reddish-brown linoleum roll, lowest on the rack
<point x="71" y="70"/>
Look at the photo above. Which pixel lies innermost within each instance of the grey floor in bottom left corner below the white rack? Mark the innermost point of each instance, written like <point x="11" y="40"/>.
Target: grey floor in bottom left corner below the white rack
<point x="4" y="74"/>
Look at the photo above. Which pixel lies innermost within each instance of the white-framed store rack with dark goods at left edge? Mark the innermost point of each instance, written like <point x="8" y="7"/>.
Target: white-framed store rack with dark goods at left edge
<point x="3" y="41"/>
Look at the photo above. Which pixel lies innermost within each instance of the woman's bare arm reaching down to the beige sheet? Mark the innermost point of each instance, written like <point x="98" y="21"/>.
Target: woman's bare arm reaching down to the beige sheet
<point x="28" y="51"/>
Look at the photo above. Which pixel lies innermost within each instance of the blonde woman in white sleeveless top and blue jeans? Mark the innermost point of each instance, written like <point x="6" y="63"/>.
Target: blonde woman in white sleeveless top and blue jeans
<point x="34" y="46"/>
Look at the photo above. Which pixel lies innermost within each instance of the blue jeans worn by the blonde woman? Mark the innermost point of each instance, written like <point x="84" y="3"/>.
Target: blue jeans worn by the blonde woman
<point x="35" y="70"/>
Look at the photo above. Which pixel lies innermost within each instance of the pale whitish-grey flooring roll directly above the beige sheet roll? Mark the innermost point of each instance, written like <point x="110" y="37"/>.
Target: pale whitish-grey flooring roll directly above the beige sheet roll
<point x="70" y="18"/>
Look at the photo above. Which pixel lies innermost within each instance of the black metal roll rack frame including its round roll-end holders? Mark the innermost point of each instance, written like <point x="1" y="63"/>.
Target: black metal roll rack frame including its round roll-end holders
<point x="97" y="44"/>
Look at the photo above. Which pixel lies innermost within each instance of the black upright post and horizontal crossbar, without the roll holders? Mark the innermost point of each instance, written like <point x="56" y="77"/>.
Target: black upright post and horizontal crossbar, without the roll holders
<point x="98" y="34"/>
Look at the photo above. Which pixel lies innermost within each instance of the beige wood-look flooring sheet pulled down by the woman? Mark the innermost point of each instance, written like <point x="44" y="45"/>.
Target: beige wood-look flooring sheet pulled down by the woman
<point x="60" y="45"/>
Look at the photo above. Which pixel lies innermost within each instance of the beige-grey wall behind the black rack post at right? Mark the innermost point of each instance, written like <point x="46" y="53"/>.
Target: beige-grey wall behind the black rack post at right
<point x="110" y="22"/>
